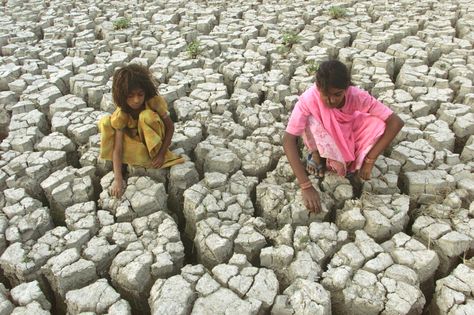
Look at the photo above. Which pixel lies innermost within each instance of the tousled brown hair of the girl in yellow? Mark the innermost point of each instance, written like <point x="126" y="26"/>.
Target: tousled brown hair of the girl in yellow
<point x="129" y="78"/>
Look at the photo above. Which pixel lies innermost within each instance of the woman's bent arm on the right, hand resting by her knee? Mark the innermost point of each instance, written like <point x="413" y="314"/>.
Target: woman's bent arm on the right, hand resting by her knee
<point x="393" y="126"/>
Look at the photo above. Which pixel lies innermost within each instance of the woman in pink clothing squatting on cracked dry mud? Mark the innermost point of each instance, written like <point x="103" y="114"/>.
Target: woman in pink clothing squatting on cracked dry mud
<point x="343" y="127"/>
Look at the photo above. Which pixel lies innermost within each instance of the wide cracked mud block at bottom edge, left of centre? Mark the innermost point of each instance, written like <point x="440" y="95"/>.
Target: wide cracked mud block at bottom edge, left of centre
<point x="233" y="288"/>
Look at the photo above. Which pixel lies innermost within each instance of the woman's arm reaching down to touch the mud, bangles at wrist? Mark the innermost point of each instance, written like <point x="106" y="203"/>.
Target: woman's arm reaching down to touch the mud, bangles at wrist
<point x="310" y="195"/>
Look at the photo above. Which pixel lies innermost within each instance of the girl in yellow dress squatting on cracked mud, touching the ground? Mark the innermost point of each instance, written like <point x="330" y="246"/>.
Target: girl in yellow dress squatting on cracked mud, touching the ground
<point x="139" y="131"/>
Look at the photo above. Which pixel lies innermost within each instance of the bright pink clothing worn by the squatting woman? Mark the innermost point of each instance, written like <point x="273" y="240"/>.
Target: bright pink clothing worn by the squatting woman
<point x="342" y="135"/>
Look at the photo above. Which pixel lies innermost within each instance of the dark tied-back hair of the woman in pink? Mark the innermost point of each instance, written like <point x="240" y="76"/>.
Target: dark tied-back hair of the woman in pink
<point x="333" y="74"/>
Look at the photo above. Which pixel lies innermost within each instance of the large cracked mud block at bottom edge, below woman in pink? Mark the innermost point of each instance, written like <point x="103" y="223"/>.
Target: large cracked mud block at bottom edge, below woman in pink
<point x="365" y="279"/>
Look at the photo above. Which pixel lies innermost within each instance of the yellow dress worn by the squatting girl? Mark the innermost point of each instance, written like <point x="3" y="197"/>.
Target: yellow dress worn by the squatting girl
<point x="142" y="137"/>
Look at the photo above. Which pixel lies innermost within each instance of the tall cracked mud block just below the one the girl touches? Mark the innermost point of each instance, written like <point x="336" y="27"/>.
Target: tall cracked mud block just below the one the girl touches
<point x="151" y="249"/>
